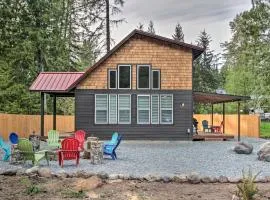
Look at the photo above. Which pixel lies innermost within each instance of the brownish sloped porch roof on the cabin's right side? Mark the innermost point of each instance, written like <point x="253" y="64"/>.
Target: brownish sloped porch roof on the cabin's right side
<point x="215" y="98"/>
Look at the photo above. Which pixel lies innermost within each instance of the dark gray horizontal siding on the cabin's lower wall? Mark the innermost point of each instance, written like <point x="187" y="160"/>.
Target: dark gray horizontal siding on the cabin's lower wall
<point x="182" y="116"/>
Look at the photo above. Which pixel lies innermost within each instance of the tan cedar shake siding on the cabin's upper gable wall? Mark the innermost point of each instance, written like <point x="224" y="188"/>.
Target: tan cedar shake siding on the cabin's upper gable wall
<point x="175" y="64"/>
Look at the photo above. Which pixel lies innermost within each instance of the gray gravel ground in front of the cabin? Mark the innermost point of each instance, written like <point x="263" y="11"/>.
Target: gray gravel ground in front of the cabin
<point x="169" y="158"/>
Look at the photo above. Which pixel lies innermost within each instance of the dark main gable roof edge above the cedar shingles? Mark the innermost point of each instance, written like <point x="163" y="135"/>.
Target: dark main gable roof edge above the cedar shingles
<point x="196" y="51"/>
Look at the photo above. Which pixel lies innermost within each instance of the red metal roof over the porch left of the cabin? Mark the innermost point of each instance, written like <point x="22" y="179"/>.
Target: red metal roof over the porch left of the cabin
<point x="55" y="81"/>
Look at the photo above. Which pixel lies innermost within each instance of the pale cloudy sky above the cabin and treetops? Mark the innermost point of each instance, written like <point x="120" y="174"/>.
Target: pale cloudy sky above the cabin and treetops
<point x="193" y="15"/>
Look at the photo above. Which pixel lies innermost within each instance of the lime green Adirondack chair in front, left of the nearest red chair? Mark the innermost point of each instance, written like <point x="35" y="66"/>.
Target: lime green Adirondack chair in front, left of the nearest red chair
<point x="26" y="150"/>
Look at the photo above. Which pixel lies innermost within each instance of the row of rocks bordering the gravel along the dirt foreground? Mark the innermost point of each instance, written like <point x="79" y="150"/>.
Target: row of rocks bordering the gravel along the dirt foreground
<point x="192" y="178"/>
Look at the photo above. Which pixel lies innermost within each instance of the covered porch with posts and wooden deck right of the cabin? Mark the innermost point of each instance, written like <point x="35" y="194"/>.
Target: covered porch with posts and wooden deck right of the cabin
<point x="213" y="99"/>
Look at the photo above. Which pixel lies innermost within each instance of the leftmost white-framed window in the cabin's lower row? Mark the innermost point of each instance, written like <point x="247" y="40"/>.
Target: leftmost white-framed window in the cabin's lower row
<point x="101" y="109"/>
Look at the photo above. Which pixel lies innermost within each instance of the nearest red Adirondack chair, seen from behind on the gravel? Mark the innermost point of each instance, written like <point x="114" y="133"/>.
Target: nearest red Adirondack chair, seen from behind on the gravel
<point x="69" y="151"/>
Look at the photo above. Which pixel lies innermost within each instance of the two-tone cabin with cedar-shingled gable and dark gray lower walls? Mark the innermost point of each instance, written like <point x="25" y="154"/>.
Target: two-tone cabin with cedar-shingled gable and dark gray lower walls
<point x="142" y="88"/>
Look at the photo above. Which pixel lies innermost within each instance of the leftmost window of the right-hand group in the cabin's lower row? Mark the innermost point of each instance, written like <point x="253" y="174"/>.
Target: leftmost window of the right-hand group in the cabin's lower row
<point x="143" y="109"/>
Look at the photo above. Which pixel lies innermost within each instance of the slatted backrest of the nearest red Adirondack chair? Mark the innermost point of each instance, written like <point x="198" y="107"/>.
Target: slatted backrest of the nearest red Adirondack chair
<point x="70" y="144"/>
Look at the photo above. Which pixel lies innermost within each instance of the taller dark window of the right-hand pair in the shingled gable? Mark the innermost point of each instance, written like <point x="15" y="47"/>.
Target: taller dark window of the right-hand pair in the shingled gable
<point x="143" y="77"/>
